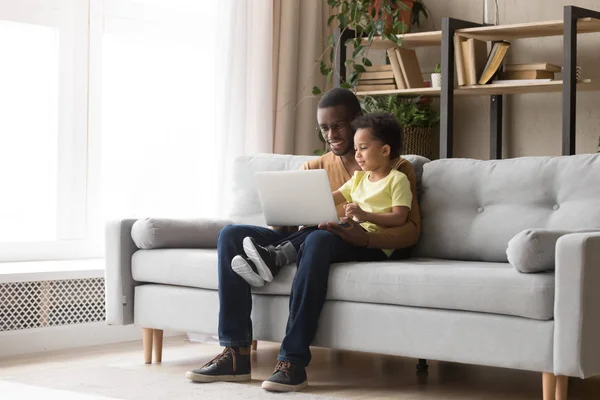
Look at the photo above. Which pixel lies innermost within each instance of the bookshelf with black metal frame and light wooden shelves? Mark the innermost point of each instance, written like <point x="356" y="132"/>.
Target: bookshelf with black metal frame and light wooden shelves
<point x="575" y="21"/>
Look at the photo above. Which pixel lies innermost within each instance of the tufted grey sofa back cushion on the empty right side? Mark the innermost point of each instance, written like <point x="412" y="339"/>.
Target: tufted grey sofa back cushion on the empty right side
<point x="470" y="209"/>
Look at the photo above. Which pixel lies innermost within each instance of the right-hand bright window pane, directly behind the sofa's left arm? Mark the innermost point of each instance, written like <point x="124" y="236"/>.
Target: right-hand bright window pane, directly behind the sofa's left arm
<point x="158" y="109"/>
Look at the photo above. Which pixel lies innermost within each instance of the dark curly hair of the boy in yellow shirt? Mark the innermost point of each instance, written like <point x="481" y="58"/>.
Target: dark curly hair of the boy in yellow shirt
<point x="385" y="128"/>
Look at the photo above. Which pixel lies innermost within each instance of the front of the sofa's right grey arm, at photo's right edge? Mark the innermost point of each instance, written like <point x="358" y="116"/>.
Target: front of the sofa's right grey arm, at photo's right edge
<point x="577" y="305"/>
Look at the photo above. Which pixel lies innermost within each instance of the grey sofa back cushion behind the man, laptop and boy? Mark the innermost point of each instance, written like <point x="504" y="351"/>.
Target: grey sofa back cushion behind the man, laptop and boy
<point x="244" y="204"/>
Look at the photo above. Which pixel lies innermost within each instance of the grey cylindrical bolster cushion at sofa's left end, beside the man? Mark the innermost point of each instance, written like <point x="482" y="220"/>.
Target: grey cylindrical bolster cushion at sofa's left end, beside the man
<point x="162" y="233"/>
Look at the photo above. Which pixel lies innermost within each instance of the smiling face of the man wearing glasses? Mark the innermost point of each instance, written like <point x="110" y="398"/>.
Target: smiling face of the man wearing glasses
<point x="335" y="127"/>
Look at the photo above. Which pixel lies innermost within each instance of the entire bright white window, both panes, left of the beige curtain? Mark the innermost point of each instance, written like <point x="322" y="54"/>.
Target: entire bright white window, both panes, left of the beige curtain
<point x="108" y="111"/>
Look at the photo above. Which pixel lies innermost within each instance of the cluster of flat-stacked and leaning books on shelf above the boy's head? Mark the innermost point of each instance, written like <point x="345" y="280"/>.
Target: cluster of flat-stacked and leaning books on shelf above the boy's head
<point x="403" y="72"/>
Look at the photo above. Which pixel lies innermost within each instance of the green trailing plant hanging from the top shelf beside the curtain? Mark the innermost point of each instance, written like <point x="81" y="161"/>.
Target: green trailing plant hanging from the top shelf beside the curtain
<point x="368" y="19"/>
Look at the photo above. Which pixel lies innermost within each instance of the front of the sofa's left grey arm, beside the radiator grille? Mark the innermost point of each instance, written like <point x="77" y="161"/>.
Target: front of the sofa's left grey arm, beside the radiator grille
<point x="119" y="282"/>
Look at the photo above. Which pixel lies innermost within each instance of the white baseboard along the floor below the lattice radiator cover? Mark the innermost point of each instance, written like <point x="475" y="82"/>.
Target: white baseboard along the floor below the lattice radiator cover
<point x="29" y="341"/>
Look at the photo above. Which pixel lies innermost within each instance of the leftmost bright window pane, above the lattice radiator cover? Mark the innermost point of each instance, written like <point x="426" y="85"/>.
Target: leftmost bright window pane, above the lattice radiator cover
<point x="43" y="140"/>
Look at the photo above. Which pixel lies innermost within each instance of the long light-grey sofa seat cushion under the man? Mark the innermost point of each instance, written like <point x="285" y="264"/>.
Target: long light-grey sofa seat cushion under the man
<point x="469" y="286"/>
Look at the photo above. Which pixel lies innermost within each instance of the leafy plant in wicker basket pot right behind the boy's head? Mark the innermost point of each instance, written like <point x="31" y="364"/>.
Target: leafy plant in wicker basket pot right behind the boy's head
<point x="417" y="116"/>
